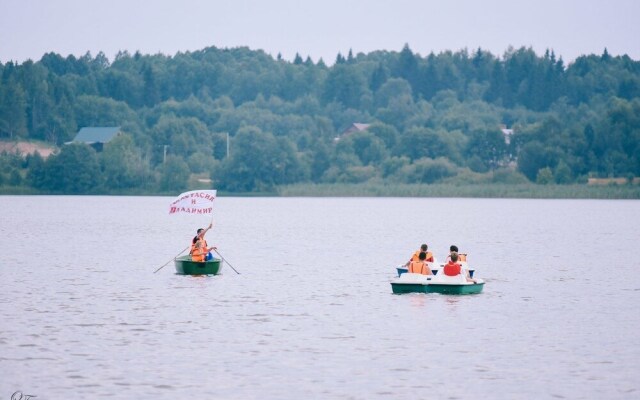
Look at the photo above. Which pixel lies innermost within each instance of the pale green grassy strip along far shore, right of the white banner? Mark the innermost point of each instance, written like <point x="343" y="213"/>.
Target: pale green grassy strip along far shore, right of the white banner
<point x="472" y="190"/>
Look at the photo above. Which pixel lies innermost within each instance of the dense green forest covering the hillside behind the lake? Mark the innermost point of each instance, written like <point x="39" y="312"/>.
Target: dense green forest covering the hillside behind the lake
<point x="250" y="122"/>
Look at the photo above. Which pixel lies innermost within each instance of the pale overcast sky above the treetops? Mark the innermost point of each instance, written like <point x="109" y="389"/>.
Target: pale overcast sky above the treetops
<point x="321" y="28"/>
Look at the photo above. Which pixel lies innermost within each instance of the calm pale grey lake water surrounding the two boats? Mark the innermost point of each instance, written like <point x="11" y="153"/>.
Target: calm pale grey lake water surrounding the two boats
<point x="82" y="315"/>
